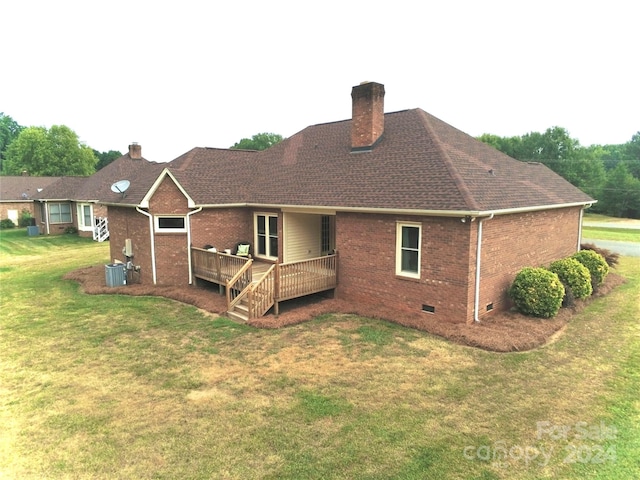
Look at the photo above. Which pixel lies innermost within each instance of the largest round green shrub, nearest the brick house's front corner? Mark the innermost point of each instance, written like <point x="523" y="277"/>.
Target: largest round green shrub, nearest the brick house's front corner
<point x="537" y="292"/>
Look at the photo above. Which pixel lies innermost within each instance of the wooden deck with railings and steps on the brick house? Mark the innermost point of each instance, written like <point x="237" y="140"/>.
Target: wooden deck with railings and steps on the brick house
<point x="253" y="287"/>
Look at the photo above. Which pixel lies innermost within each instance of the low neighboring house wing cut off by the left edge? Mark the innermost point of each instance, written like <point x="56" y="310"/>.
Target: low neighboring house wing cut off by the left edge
<point x="17" y="193"/>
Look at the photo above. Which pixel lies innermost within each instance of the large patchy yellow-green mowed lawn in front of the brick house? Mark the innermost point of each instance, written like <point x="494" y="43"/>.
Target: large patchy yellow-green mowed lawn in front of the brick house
<point x="129" y="387"/>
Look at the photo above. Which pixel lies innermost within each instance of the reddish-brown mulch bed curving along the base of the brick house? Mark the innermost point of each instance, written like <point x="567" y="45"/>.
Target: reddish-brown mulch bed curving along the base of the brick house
<point x="501" y="332"/>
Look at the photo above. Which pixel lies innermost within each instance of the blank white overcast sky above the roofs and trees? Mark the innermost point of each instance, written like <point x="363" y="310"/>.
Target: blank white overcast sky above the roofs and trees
<point x="177" y="75"/>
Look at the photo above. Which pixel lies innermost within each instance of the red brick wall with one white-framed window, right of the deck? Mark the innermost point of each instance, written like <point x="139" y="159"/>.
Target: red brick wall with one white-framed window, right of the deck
<point x="367" y="248"/>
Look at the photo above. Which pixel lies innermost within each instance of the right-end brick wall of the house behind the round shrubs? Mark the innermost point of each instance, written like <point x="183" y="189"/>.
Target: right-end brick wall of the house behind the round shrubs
<point x="511" y="242"/>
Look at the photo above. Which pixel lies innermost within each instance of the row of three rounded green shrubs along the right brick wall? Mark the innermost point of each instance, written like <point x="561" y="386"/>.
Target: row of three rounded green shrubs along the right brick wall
<point x="540" y="292"/>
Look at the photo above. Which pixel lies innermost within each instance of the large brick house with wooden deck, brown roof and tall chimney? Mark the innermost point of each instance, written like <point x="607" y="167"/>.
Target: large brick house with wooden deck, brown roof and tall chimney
<point x="397" y="209"/>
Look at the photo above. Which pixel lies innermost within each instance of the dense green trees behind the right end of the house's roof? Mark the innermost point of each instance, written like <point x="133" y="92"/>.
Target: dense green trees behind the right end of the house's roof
<point x="608" y="173"/>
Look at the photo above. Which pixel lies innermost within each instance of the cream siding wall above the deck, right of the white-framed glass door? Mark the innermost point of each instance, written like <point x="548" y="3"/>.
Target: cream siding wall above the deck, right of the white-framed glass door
<point x="301" y="236"/>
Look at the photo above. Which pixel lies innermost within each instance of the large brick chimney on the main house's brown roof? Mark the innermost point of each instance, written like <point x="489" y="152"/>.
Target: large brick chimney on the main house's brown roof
<point x="367" y="123"/>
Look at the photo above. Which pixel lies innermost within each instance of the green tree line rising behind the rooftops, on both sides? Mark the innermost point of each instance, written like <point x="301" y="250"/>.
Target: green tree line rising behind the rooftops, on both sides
<point x="608" y="173"/>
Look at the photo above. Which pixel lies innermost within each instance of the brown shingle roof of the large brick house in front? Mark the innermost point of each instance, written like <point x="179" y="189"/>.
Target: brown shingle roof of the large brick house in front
<point x="420" y="163"/>
